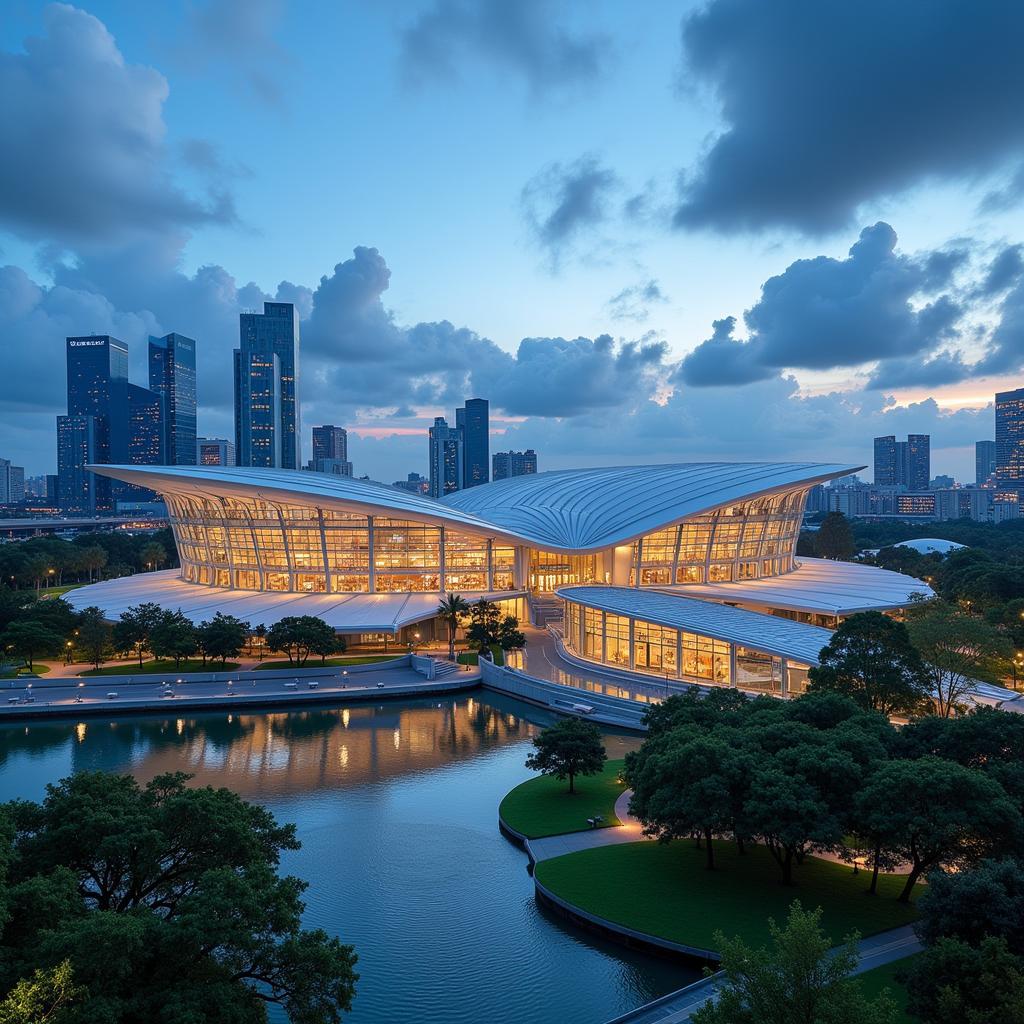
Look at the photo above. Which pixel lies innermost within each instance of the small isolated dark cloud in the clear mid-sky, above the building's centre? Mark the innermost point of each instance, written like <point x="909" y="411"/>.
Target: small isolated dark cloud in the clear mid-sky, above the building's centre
<point x="565" y="201"/>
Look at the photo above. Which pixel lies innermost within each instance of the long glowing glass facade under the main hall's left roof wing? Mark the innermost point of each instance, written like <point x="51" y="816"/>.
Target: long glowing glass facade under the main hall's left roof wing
<point x="253" y="544"/>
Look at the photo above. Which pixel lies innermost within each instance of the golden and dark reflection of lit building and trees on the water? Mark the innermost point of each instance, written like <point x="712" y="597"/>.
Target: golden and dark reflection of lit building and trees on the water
<point x="277" y="753"/>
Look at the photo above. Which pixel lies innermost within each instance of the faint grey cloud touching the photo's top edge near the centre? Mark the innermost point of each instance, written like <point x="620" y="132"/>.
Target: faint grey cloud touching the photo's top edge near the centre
<point x="527" y="37"/>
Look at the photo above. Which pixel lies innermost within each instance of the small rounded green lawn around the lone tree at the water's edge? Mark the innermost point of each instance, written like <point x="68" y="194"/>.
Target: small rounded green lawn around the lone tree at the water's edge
<point x="543" y="806"/>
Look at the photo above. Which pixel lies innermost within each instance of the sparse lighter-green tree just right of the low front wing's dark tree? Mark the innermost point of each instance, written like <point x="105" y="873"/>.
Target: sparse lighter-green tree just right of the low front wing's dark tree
<point x="958" y="650"/>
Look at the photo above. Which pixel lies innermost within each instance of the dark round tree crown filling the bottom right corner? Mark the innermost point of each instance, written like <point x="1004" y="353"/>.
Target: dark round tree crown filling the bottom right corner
<point x="956" y="984"/>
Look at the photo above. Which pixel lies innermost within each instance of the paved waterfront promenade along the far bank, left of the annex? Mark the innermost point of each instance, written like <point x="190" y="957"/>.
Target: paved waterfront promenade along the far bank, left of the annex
<point x="168" y="693"/>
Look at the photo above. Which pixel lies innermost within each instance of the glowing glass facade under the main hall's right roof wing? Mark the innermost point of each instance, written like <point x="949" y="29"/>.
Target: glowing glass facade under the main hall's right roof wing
<point x="741" y="542"/>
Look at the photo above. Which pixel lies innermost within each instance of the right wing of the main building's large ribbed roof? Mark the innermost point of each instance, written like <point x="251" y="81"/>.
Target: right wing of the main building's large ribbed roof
<point x="588" y="509"/>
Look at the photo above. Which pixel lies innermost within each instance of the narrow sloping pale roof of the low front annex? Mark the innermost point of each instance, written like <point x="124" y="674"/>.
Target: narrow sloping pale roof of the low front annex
<point x="752" y="629"/>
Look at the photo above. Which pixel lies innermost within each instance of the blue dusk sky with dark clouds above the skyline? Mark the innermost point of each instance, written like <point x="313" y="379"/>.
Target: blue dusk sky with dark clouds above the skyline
<point x="647" y="233"/>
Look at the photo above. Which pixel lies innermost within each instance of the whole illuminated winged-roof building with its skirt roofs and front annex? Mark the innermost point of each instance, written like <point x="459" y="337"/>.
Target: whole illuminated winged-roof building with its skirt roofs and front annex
<point x="681" y="573"/>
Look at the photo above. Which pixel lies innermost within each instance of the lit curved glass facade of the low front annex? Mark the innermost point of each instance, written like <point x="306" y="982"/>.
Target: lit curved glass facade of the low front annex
<point x="649" y="649"/>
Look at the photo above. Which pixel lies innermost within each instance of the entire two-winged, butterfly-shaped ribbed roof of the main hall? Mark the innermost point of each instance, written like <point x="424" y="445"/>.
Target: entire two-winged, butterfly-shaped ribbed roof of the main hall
<point x="566" y="510"/>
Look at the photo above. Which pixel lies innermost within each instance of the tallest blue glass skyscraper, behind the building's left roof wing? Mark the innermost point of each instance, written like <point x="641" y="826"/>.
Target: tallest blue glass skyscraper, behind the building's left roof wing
<point x="268" y="426"/>
